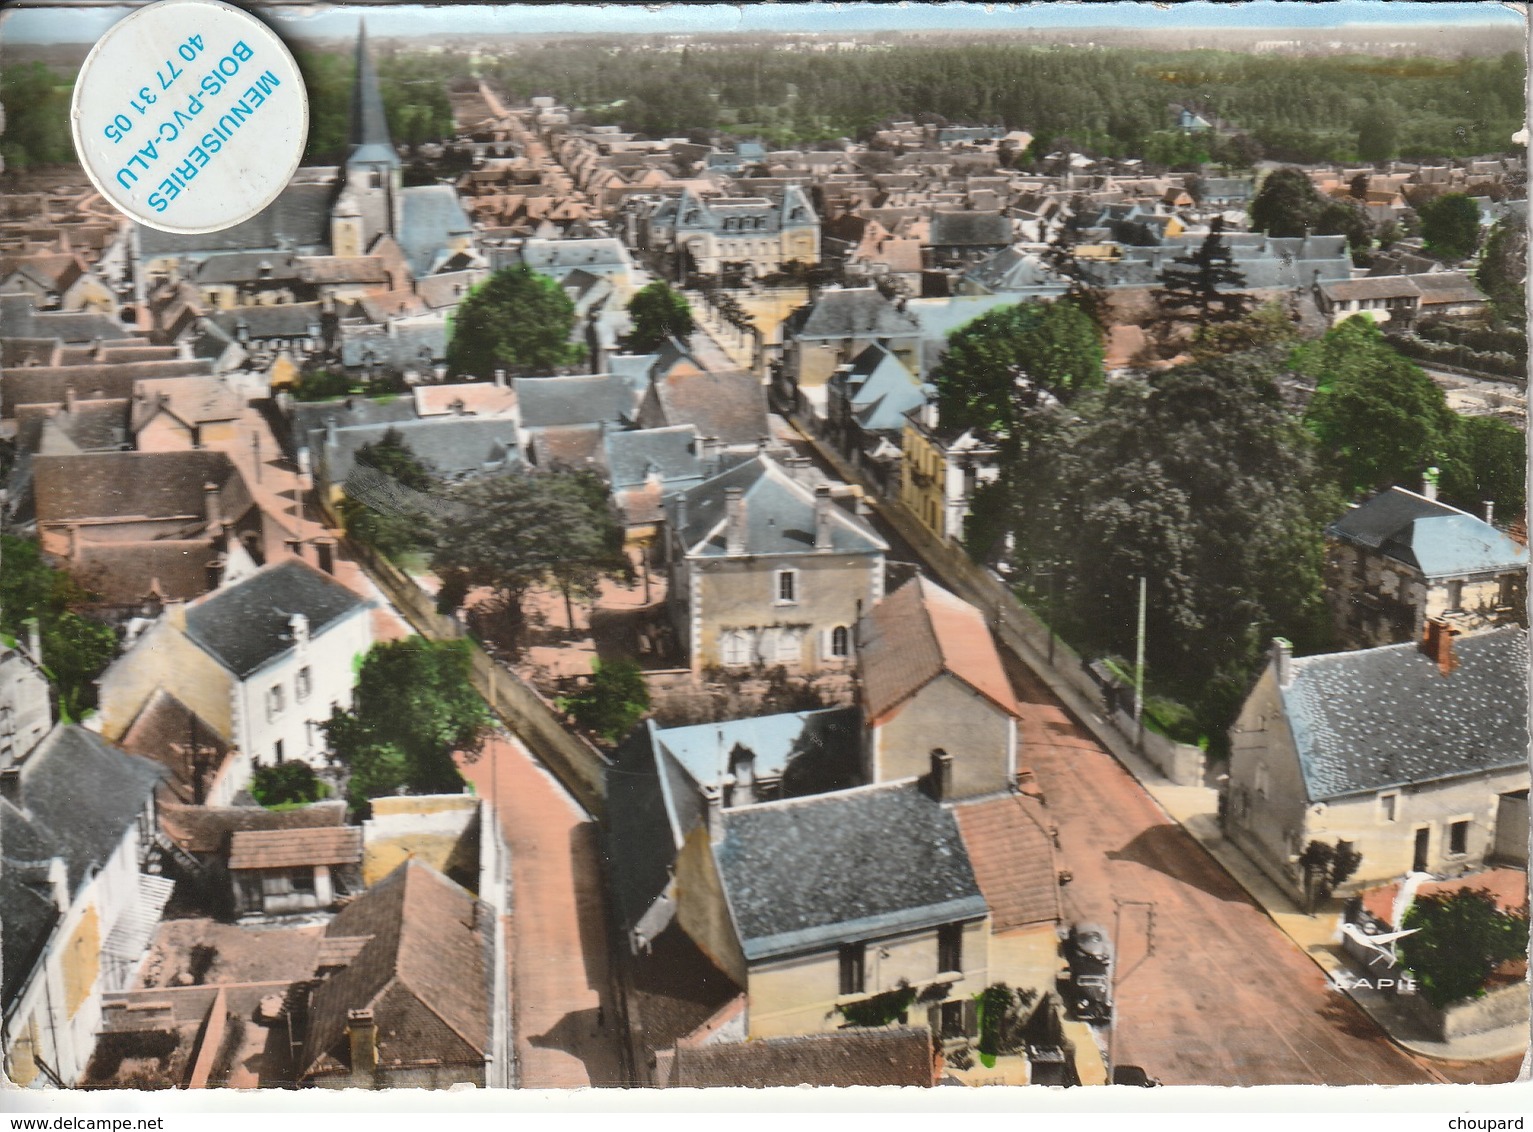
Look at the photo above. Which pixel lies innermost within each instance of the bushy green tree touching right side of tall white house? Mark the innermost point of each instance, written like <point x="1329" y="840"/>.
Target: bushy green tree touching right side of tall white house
<point x="413" y="711"/>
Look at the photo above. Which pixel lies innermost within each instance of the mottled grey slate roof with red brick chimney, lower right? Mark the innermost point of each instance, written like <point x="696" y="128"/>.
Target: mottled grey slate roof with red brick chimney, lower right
<point x="1380" y="719"/>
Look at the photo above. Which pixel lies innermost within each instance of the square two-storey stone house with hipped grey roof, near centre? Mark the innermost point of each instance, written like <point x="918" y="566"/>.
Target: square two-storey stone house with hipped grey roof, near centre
<point x="766" y="571"/>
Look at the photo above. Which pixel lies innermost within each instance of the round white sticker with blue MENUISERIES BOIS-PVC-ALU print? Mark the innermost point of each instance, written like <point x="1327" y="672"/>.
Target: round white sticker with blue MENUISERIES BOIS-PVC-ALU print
<point x="191" y="116"/>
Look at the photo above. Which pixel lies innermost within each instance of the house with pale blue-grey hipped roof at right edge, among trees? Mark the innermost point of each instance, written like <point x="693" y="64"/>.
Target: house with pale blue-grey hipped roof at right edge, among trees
<point x="1403" y="559"/>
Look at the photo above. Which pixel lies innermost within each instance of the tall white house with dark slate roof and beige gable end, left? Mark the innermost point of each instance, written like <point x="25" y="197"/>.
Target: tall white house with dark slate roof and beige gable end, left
<point x="264" y="662"/>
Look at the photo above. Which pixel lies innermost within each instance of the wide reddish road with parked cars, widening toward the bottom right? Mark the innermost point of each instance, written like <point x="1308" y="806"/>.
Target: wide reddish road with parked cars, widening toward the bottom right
<point x="1209" y="993"/>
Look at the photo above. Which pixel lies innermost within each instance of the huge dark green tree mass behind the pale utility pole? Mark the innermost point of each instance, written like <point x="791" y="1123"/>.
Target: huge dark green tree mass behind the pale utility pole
<point x="1200" y="481"/>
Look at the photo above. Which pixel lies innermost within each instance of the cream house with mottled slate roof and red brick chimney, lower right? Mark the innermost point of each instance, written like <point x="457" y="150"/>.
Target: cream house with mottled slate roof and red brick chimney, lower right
<point x="1416" y="755"/>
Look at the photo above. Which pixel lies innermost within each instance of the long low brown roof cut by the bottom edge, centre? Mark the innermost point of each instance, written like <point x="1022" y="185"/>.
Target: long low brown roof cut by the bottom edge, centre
<point x="870" y="1058"/>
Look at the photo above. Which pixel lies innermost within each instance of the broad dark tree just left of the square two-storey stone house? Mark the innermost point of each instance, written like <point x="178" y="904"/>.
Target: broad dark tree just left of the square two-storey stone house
<point x="513" y="533"/>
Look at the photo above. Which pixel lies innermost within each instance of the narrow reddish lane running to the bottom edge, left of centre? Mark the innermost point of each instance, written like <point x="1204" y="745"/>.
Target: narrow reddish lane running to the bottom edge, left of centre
<point x="560" y="982"/>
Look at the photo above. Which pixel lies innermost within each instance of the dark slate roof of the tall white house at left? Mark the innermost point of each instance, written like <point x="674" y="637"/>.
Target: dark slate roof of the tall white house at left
<point x="245" y="627"/>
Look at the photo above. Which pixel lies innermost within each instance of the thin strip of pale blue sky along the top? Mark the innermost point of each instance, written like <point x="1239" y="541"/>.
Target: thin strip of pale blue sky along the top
<point x="42" y="22"/>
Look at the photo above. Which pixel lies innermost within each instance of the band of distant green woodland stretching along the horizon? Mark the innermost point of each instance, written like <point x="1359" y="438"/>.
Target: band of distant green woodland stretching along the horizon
<point x="1111" y="102"/>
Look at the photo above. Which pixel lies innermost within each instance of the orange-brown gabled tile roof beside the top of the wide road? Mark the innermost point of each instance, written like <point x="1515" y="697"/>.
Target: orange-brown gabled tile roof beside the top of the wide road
<point x="919" y="633"/>
